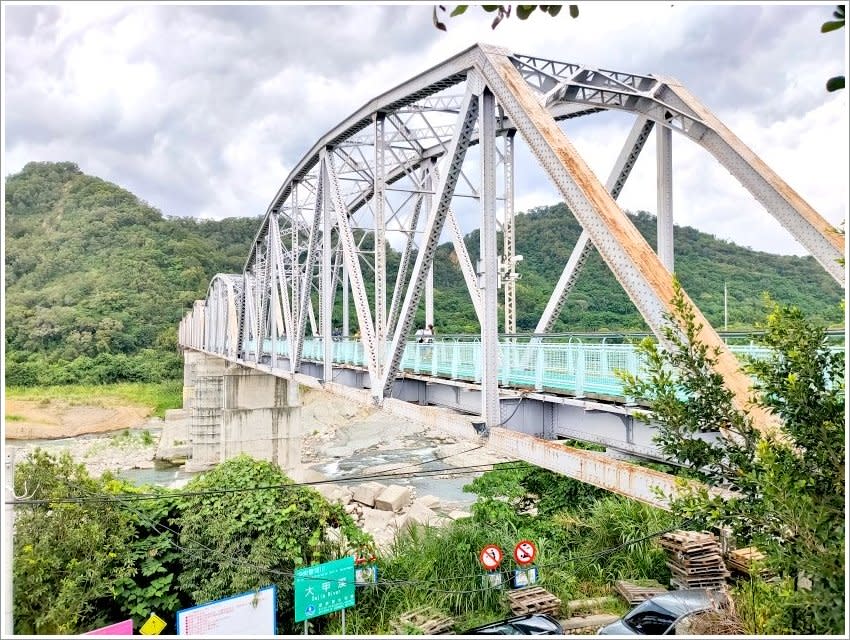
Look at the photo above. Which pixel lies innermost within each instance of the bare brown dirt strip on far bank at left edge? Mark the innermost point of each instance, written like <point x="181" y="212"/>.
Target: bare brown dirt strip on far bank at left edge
<point x="42" y="419"/>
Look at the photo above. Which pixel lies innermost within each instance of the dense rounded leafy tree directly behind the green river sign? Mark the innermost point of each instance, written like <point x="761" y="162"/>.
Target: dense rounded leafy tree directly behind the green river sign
<point x="244" y="538"/>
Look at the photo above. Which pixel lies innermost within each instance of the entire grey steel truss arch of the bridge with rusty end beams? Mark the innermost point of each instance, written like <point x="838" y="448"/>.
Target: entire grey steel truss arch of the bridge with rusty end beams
<point x="396" y="168"/>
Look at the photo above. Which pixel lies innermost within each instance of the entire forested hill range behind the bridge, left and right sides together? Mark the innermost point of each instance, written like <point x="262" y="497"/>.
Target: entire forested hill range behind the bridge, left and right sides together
<point x="97" y="280"/>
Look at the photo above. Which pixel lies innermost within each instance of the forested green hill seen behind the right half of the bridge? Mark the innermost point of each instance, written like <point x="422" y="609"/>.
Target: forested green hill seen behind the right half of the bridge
<point x="545" y="237"/>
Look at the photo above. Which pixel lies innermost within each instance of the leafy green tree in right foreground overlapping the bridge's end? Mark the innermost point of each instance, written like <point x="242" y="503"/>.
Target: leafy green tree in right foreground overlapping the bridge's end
<point x="789" y="486"/>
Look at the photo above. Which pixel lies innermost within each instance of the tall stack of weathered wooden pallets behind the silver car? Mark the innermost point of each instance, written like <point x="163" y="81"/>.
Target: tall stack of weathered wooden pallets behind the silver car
<point x="695" y="560"/>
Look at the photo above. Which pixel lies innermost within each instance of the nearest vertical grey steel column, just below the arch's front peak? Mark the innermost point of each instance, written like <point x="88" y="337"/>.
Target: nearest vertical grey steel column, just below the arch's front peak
<point x="489" y="279"/>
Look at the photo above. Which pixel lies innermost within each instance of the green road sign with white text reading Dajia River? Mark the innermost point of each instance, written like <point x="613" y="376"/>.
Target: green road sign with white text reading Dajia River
<point x="324" y="588"/>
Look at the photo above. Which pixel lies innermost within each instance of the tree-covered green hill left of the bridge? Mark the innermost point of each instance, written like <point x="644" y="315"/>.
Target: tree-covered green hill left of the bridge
<point x="97" y="280"/>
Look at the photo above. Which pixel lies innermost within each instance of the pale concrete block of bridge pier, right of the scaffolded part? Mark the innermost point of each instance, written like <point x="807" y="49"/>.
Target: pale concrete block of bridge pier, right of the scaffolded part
<point x="261" y="417"/>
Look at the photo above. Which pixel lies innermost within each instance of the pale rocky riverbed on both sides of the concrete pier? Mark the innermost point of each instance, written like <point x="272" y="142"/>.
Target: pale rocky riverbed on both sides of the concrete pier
<point x="343" y="440"/>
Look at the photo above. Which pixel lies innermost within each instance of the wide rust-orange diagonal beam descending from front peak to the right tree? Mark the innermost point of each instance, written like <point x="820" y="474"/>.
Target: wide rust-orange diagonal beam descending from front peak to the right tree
<point x="642" y="256"/>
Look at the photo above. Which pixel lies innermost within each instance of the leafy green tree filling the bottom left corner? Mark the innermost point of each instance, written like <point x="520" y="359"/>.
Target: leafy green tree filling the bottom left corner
<point x="68" y="556"/>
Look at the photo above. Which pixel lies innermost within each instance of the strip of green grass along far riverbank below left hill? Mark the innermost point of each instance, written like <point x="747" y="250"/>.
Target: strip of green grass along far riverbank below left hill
<point x="158" y="396"/>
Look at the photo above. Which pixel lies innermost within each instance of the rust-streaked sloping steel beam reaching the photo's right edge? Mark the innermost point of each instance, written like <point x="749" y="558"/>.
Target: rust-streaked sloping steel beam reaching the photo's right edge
<point x="792" y="197"/>
